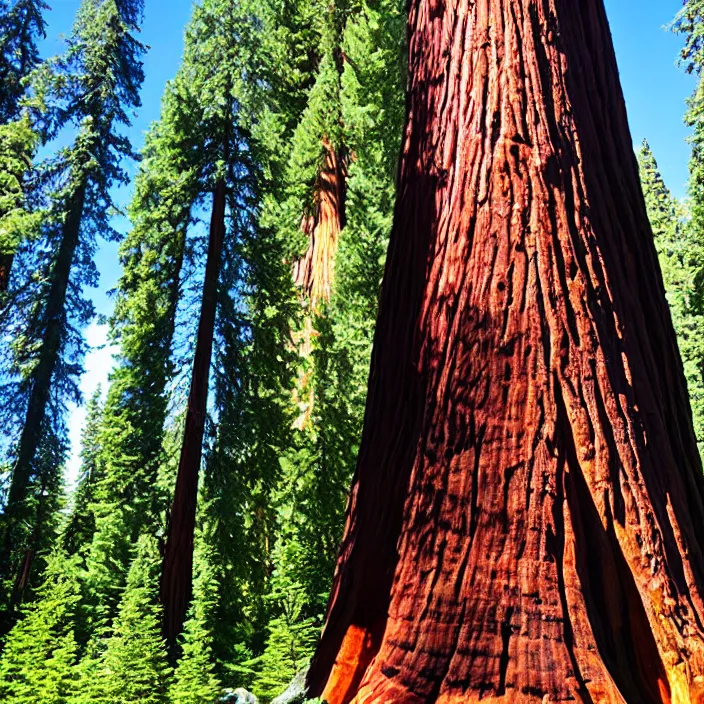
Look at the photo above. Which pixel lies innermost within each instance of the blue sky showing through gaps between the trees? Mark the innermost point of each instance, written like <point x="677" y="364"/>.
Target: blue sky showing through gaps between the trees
<point x="655" y="90"/>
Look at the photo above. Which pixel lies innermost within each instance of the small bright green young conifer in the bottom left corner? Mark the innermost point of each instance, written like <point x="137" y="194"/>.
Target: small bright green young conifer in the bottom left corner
<point x="40" y="651"/>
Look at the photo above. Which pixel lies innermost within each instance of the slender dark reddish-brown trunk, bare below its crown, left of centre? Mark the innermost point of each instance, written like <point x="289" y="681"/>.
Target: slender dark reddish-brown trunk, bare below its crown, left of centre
<point x="177" y="568"/>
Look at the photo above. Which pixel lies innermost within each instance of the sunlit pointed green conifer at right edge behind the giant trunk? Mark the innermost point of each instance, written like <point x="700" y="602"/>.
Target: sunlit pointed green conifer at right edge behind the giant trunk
<point x="682" y="263"/>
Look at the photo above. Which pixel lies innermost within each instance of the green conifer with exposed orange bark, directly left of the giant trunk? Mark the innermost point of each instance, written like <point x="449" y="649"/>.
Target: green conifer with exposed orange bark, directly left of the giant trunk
<point x="342" y="165"/>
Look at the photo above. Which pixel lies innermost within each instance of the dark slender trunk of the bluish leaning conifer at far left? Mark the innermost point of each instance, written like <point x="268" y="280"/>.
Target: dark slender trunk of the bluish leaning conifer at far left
<point x="41" y="379"/>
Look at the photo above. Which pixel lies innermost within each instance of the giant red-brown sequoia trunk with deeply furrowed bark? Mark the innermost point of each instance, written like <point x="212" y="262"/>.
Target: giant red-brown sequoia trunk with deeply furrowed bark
<point x="527" y="516"/>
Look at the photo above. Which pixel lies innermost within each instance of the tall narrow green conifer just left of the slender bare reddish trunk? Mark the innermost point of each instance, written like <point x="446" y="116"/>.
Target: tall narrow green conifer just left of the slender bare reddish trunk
<point x="131" y="434"/>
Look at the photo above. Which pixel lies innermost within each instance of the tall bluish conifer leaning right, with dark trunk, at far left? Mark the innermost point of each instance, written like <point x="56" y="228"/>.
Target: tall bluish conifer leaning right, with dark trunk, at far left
<point x="92" y="87"/>
